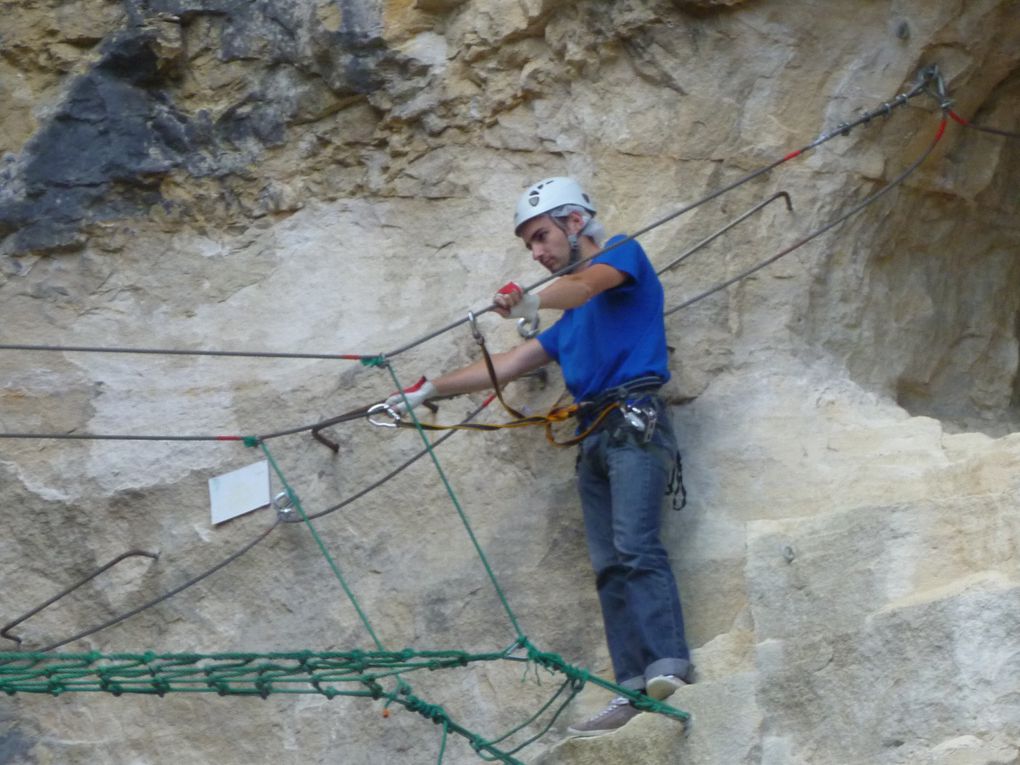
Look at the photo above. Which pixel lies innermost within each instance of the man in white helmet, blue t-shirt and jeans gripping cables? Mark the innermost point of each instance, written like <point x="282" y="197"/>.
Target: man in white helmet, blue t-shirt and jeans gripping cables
<point x="611" y="345"/>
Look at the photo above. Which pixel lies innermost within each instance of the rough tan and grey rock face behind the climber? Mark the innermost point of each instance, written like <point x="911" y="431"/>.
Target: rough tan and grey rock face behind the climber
<point x="337" y="177"/>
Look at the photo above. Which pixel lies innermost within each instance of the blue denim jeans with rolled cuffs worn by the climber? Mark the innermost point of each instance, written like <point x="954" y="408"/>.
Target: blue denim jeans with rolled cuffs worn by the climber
<point x="623" y="483"/>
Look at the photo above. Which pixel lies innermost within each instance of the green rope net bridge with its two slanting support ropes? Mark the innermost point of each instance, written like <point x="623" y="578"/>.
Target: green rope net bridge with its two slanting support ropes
<point x="373" y="675"/>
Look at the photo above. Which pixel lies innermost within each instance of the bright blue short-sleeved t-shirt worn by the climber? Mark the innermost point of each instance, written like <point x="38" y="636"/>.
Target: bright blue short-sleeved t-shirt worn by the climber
<point x="618" y="336"/>
